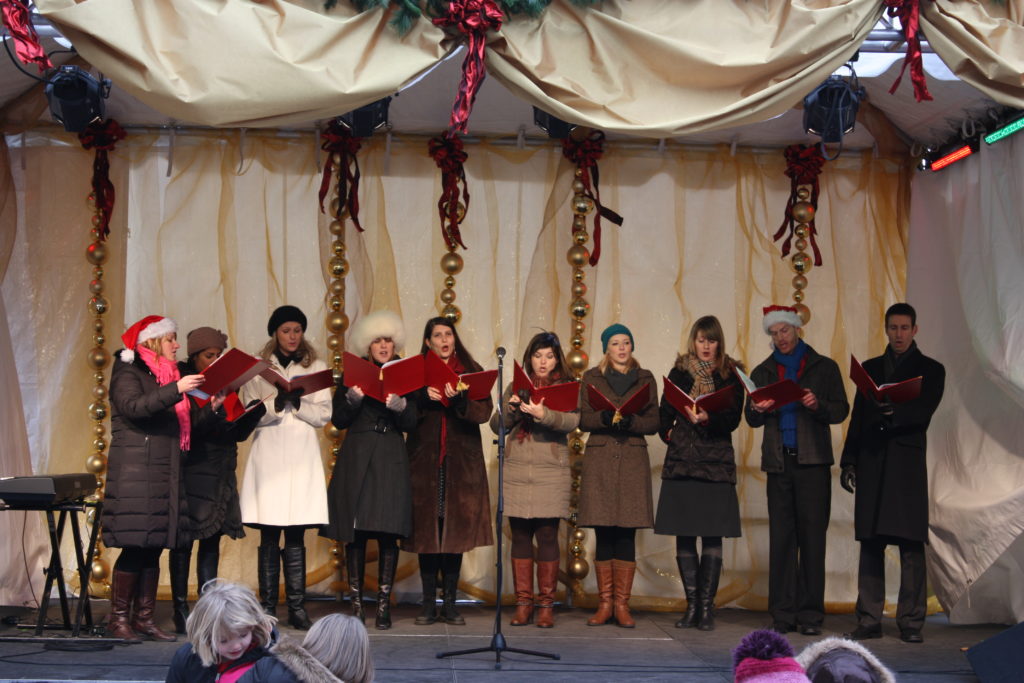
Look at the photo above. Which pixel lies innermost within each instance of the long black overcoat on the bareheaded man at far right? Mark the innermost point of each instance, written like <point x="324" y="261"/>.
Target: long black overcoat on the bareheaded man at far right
<point x="889" y="452"/>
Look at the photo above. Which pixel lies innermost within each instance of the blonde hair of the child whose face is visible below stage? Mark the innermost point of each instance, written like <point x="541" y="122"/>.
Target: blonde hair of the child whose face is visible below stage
<point x="223" y="611"/>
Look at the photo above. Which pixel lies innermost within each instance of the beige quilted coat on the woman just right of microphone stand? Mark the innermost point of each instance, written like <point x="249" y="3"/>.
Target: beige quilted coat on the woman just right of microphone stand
<point x="537" y="468"/>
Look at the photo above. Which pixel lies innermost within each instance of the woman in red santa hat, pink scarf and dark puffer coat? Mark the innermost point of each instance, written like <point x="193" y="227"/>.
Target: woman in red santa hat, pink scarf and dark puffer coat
<point x="145" y="498"/>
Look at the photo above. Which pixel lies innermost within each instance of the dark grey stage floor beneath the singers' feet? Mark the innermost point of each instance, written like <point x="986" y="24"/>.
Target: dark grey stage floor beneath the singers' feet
<point x="654" y="652"/>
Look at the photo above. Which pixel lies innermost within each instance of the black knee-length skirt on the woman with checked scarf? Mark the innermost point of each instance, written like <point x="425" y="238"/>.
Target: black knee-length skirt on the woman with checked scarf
<point x="696" y="507"/>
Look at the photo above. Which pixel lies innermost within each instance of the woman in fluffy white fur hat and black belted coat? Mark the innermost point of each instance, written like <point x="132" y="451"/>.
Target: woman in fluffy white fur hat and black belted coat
<point x="371" y="495"/>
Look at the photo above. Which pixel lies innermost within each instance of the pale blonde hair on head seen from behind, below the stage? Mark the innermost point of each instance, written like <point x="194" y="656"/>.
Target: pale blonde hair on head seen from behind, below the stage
<point x="342" y="645"/>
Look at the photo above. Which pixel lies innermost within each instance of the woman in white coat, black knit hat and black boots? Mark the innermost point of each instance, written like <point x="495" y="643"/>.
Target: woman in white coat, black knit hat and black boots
<point x="284" y="491"/>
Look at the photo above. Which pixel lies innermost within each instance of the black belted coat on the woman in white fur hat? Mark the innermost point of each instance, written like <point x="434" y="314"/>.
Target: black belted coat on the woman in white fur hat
<point x="370" y="490"/>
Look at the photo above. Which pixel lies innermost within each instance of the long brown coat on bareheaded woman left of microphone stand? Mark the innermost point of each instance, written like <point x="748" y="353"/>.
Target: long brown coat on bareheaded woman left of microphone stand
<point x="467" y="499"/>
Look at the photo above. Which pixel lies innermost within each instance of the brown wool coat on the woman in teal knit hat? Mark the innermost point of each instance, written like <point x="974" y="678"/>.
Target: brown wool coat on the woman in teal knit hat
<point x="616" y="487"/>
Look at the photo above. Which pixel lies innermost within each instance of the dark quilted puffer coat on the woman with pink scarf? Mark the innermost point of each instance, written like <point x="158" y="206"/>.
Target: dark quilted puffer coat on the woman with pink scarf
<point x="145" y="505"/>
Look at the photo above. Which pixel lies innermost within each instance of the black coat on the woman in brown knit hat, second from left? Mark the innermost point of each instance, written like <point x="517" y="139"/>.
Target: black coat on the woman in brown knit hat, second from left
<point x="211" y="485"/>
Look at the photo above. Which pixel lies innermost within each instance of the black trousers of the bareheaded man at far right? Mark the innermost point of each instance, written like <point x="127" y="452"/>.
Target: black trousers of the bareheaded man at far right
<point x="913" y="602"/>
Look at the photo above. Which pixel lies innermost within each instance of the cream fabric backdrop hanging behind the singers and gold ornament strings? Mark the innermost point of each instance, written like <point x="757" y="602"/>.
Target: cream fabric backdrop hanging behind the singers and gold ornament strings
<point x="219" y="243"/>
